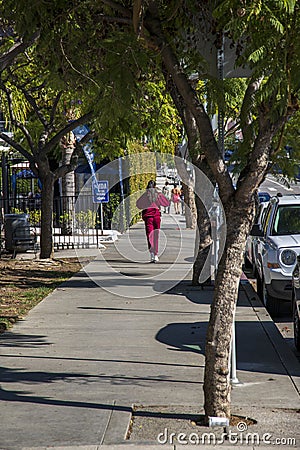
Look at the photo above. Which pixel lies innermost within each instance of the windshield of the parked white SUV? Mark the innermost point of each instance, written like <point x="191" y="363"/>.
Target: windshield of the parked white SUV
<point x="287" y="220"/>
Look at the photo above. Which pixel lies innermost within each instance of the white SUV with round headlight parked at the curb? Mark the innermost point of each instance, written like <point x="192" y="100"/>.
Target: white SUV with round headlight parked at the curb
<point x="277" y="247"/>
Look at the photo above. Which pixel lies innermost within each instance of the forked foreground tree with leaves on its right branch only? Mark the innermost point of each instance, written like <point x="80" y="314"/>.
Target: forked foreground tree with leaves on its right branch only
<point x="271" y="97"/>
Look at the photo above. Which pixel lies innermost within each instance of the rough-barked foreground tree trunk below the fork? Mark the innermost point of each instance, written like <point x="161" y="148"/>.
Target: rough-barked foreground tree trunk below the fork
<point x="218" y="341"/>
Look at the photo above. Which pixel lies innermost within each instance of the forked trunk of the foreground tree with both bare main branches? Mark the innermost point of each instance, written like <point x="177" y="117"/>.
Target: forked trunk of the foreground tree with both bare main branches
<point x="238" y="205"/>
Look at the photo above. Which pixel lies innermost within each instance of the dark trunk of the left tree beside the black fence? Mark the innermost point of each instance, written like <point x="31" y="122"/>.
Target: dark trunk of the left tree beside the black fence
<point x="46" y="250"/>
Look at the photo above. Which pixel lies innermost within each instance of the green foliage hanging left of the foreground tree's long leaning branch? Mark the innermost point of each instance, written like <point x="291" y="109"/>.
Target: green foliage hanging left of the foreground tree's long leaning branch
<point x="102" y="65"/>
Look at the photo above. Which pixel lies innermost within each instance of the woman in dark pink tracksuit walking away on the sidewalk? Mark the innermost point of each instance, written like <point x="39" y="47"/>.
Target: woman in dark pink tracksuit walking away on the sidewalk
<point x="150" y="203"/>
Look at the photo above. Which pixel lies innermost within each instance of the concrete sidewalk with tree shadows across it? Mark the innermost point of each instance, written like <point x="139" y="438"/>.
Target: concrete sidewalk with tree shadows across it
<point x="132" y="334"/>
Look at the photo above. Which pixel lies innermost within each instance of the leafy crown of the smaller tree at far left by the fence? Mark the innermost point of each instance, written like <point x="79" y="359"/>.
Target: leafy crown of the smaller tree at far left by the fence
<point x="26" y="89"/>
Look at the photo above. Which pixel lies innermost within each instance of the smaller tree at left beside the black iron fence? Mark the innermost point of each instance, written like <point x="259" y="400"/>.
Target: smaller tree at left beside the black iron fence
<point x="39" y="127"/>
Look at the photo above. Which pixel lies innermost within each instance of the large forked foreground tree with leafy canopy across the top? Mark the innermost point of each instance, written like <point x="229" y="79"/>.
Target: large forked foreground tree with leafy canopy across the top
<point x="175" y="36"/>
